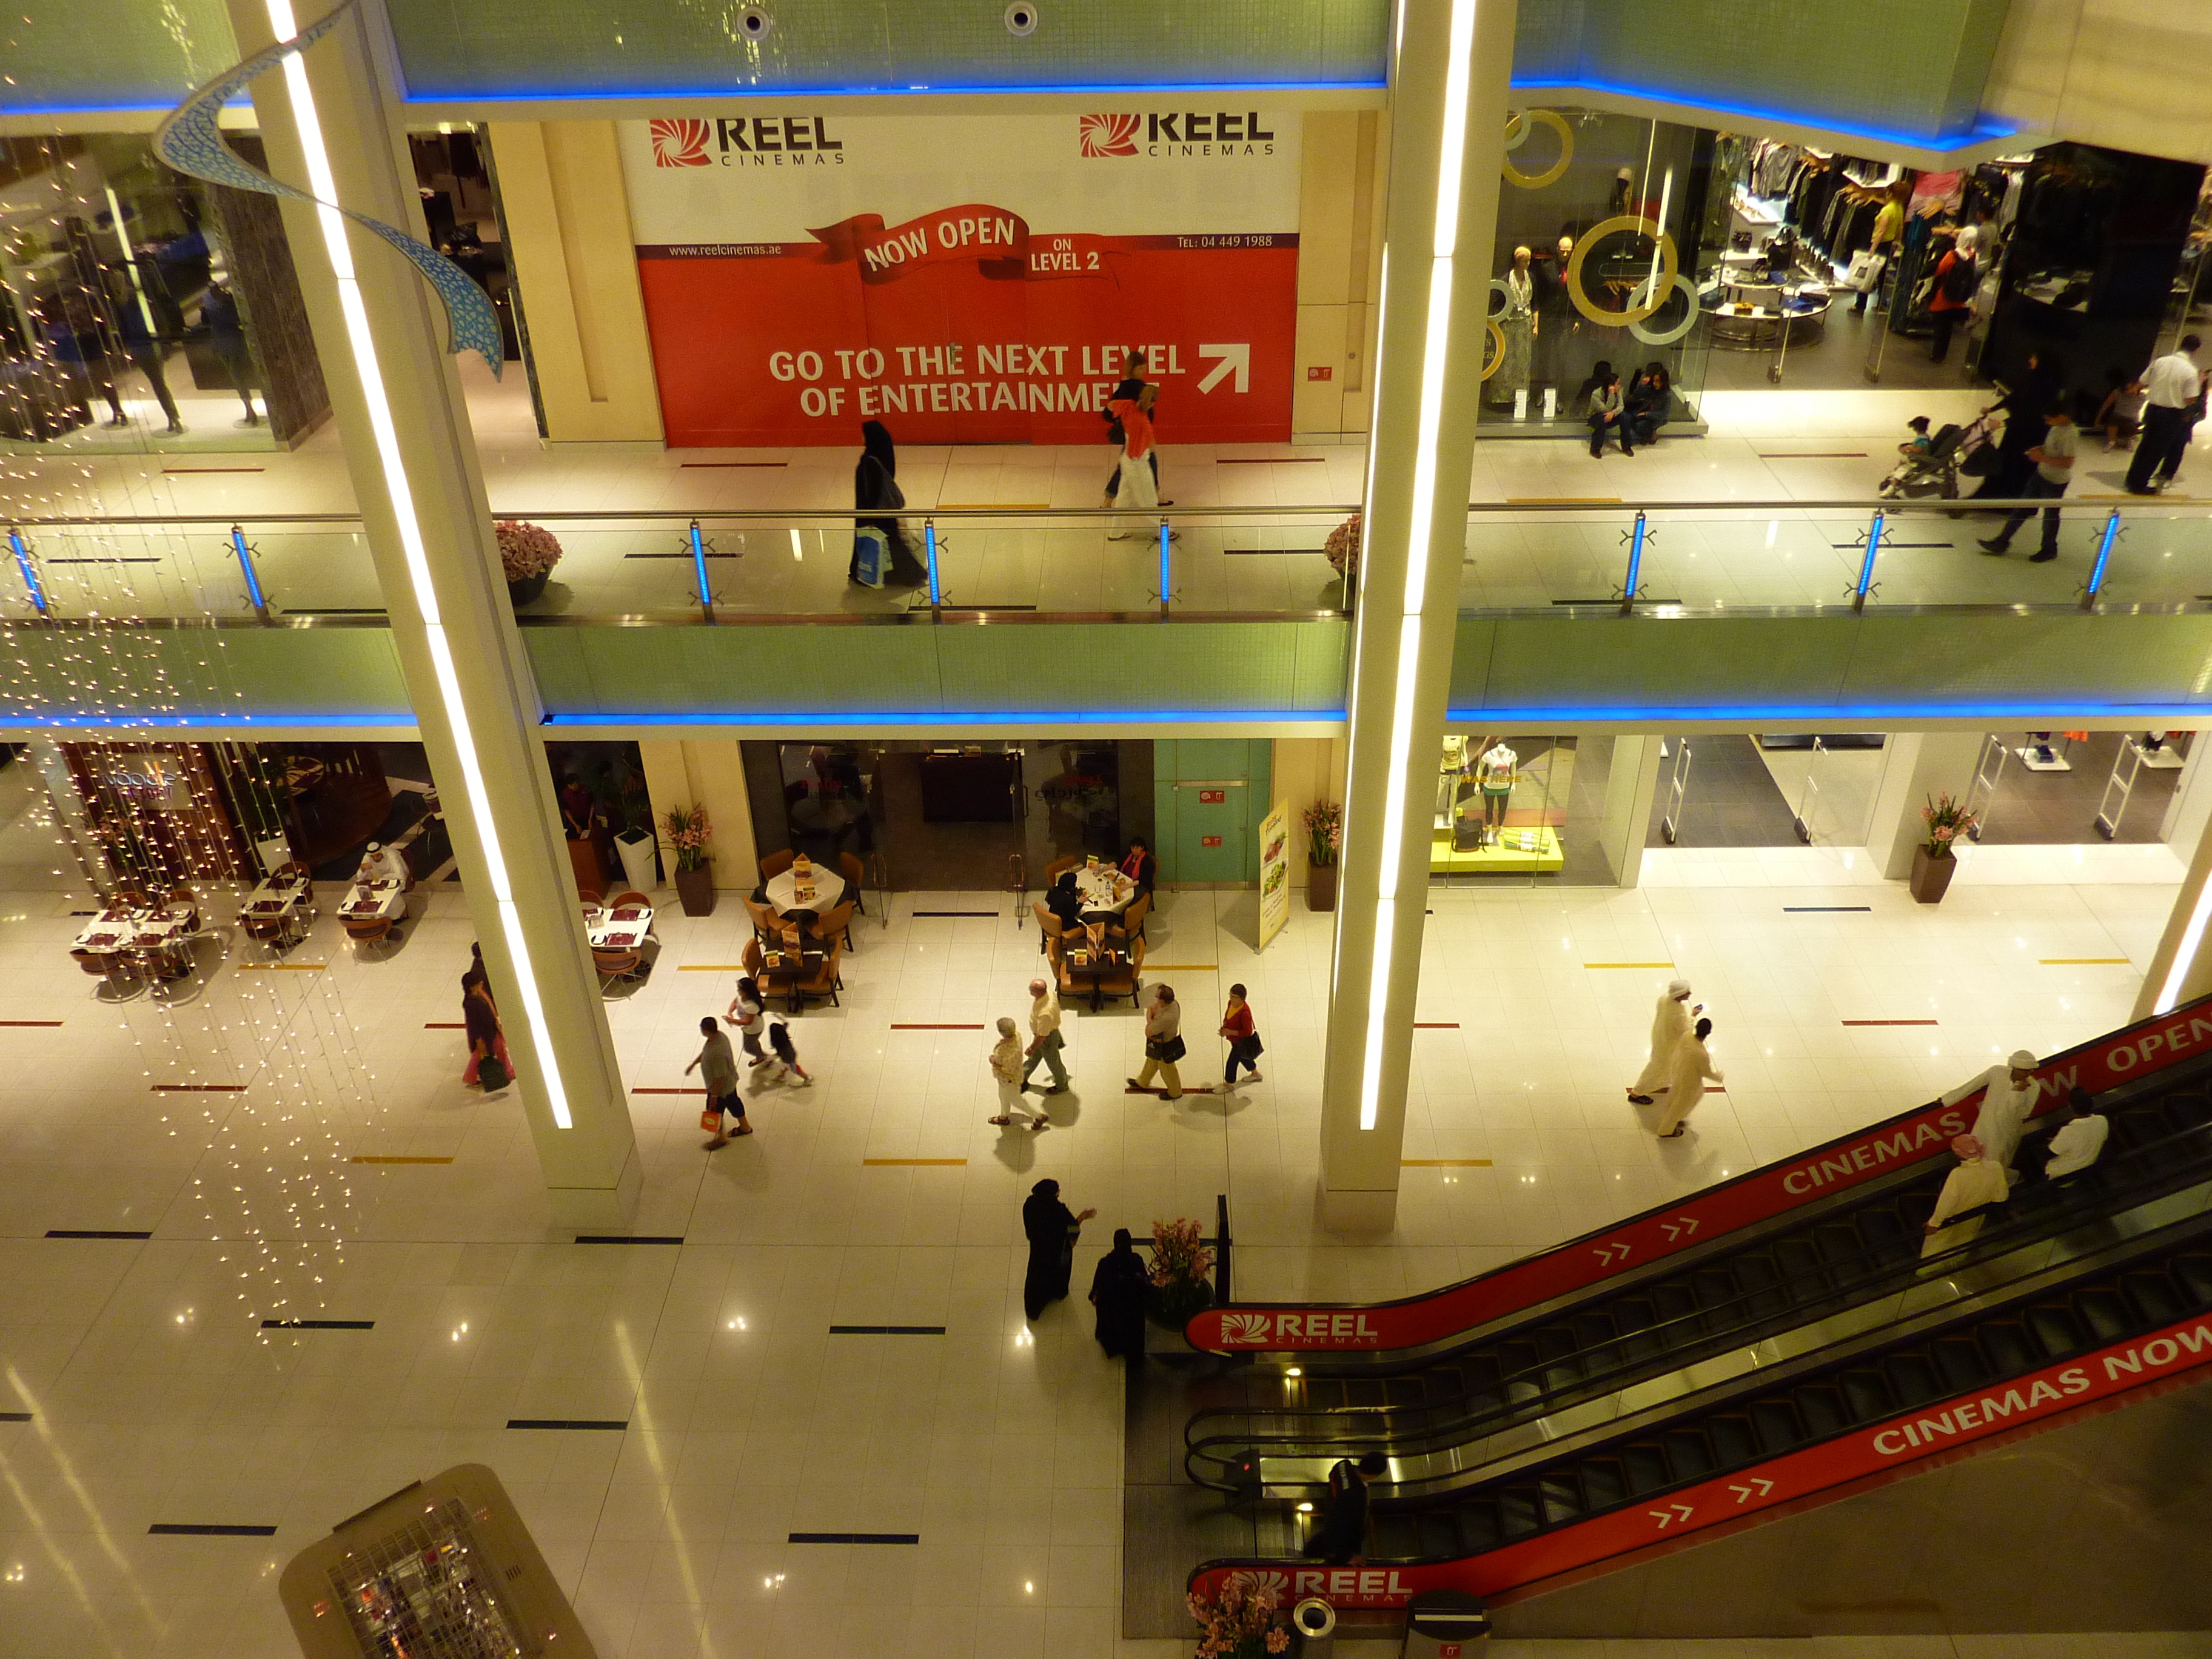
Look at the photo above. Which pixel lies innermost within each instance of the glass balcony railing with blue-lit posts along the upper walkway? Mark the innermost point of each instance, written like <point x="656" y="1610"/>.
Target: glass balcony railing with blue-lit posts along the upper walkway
<point x="979" y="565"/>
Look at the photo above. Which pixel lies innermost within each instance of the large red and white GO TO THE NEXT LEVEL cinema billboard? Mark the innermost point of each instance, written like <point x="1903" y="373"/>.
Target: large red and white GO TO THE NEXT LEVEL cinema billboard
<point x="811" y="271"/>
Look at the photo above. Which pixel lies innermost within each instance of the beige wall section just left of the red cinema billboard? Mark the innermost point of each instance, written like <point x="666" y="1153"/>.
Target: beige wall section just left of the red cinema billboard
<point x="567" y="222"/>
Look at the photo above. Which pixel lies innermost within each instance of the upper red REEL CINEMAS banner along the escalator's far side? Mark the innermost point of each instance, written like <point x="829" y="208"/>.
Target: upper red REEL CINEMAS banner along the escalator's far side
<point x="2133" y="1052"/>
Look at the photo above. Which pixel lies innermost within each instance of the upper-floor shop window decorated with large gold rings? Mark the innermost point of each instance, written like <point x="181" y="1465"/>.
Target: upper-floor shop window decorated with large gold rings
<point x="1600" y="238"/>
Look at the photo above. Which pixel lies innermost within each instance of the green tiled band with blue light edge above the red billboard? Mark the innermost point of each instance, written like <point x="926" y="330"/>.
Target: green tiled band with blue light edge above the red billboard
<point x="607" y="48"/>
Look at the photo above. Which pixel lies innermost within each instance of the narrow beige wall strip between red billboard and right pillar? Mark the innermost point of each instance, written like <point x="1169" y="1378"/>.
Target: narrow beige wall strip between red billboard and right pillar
<point x="1339" y="269"/>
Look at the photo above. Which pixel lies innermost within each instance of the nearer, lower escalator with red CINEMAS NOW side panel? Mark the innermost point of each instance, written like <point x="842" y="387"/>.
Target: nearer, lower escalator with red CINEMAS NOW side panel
<point x="2078" y="1297"/>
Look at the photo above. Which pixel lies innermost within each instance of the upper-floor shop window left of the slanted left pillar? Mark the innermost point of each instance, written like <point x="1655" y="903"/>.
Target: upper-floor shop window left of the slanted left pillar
<point x="143" y="311"/>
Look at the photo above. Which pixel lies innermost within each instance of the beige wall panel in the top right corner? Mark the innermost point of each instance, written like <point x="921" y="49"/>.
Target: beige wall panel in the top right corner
<point x="2127" y="74"/>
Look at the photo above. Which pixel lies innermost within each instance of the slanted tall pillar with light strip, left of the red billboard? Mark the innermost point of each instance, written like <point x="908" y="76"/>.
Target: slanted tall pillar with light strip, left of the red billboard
<point x="331" y="129"/>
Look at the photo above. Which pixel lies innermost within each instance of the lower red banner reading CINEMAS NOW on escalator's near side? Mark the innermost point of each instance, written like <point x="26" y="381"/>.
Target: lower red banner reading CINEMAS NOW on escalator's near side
<point x="1864" y="1457"/>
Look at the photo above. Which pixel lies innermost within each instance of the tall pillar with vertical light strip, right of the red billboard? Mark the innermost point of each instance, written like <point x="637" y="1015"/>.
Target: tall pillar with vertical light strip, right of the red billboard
<point x="1450" y="70"/>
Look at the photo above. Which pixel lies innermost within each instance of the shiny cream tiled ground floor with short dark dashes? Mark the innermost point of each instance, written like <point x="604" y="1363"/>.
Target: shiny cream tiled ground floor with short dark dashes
<point x="229" y="1118"/>
